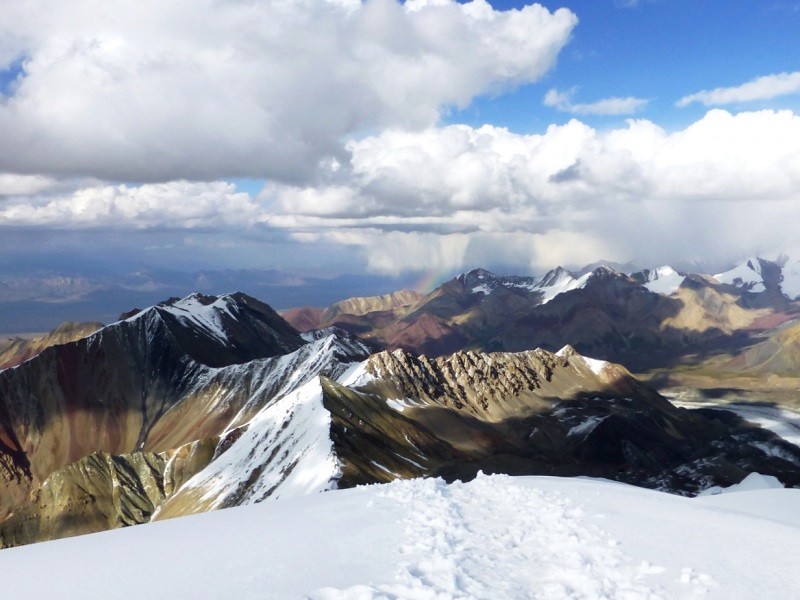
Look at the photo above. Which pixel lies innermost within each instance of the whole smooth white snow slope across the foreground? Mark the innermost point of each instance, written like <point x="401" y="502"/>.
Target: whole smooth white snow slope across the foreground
<point x="495" y="537"/>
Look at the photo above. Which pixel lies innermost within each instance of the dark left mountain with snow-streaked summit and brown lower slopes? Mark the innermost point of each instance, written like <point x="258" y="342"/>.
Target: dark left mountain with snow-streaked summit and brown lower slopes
<point x="135" y="385"/>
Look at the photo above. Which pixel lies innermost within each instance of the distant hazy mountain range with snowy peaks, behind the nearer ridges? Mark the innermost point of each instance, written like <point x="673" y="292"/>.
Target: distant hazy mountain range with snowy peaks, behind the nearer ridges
<point x="645" y="320"/>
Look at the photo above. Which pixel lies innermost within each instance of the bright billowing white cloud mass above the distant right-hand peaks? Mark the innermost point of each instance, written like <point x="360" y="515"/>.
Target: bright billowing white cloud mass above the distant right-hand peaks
<point x="723" y="186"/>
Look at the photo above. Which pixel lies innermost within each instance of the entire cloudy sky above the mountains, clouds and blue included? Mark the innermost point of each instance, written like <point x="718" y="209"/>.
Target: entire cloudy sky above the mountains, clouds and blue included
<point x="394" y="139"/>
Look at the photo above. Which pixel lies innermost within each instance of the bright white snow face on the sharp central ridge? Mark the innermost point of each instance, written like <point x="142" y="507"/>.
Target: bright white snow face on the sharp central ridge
<point x="285" y="448"/>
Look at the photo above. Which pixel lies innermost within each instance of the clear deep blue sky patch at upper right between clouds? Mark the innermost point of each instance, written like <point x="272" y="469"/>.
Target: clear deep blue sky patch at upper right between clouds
<point x="659" y="50"/>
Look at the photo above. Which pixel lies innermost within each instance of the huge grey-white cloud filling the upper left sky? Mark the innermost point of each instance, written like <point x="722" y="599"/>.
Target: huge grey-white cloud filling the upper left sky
<point x="204" y="90"/>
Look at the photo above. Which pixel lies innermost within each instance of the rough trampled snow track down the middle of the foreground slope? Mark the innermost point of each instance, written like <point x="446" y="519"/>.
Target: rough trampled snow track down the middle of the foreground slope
<point x="483" y="540"/>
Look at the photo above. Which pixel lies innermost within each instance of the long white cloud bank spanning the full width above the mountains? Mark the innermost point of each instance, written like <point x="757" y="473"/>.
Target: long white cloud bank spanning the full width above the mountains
<point x="452" y="197"/>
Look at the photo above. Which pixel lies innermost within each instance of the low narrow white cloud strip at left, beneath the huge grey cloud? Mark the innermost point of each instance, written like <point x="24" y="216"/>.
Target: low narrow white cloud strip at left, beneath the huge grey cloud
<point x="174" y="205"/>
